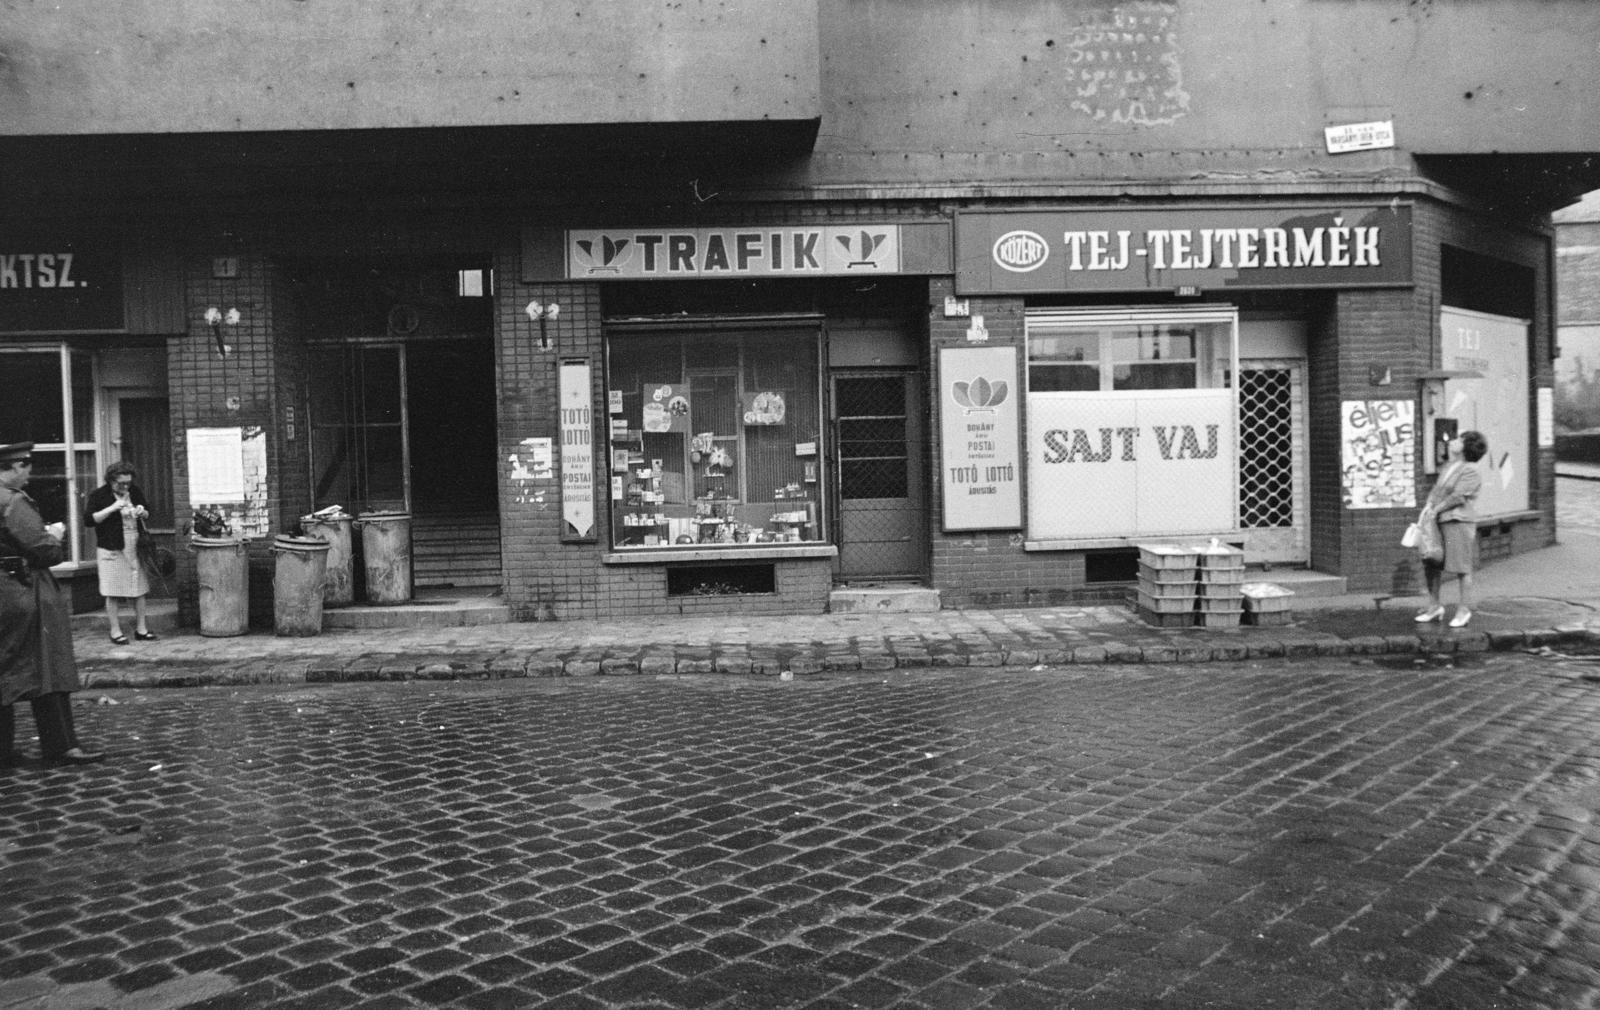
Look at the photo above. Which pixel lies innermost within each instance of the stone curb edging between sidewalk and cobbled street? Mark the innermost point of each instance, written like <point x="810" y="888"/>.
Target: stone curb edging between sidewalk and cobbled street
<point x="663" y="663"/>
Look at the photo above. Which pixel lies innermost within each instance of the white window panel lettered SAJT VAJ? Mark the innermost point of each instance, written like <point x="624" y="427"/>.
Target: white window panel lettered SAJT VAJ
<point x="1113" y="465"/>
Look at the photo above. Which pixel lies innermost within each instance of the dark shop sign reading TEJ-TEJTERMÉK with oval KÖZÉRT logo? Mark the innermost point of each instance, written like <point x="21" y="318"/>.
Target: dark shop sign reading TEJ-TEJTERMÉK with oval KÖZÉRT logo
<point x="1167" y="249"/>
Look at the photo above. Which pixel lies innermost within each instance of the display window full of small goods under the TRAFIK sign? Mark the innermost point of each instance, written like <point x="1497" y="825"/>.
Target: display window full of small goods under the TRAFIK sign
<point x="714" y="438"/>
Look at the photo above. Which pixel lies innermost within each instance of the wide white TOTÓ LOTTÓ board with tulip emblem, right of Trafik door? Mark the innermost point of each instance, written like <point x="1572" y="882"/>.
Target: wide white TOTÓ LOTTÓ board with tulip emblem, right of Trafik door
<point x="980" y="447"/>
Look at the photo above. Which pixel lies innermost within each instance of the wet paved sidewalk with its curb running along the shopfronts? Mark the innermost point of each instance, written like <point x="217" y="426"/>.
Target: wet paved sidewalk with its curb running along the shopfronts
<point x="1542" y="599"/>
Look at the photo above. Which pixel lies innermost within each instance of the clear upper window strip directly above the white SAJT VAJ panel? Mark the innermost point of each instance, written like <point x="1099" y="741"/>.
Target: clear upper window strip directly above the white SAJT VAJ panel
<point x="1110" y="355"/>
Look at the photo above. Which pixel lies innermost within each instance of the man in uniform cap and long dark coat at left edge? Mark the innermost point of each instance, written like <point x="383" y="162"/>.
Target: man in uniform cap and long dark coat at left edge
<point x="36" y="622"/>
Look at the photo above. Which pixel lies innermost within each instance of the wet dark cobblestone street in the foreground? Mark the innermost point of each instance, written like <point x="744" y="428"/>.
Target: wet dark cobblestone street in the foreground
<point x="1361" y="833"/>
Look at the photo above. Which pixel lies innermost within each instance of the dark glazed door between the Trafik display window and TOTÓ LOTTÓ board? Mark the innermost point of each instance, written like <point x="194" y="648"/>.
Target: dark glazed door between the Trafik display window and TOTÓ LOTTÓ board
<point x="881" y="492"/>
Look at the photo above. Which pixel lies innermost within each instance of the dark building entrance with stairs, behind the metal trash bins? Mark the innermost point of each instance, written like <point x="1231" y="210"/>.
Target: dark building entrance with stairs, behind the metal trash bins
<point x="410" y="427"/>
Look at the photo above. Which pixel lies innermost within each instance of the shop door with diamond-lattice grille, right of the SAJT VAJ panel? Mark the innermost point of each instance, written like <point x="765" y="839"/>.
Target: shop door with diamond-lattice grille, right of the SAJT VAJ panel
<point x="1273" y="462"/>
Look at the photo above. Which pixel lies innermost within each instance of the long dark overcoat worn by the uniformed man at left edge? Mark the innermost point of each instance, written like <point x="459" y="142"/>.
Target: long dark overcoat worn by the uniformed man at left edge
<point x="36" y="620"/>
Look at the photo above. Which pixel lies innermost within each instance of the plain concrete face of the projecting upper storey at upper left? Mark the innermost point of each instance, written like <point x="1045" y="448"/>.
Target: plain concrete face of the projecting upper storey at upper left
<point x="180" y="66"/>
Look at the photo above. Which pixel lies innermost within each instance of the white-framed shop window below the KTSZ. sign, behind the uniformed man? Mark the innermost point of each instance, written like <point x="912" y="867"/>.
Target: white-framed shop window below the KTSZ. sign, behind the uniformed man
<point x="50" y="403"/>
